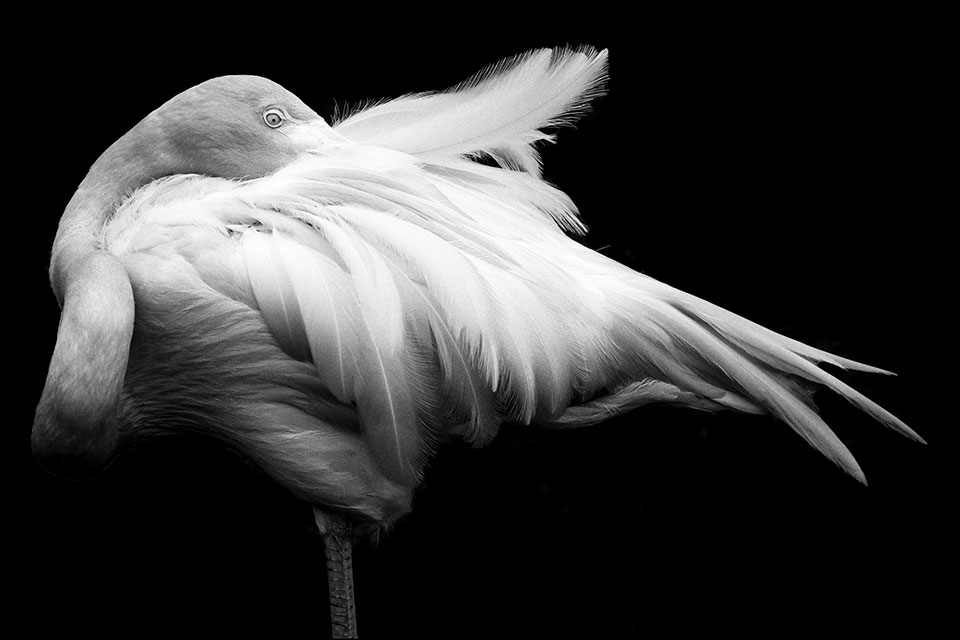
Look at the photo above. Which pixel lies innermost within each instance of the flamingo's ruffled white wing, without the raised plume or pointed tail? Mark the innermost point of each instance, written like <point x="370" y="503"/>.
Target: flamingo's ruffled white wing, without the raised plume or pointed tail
<point x="390" y="281"/>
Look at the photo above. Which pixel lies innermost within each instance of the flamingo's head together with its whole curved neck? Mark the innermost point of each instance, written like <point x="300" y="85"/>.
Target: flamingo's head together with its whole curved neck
<point x="239" y="127"/>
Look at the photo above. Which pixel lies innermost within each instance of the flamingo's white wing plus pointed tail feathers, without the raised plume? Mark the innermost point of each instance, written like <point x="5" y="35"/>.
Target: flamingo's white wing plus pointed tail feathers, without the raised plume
<point x="445" y="298"/>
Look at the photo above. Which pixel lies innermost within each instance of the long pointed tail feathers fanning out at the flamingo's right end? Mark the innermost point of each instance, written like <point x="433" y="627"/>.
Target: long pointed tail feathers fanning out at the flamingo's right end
<point x="690" y="352"/>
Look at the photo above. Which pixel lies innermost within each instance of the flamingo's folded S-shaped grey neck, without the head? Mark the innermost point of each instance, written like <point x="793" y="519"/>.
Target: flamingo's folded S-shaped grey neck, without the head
<point x="75" y="428"/>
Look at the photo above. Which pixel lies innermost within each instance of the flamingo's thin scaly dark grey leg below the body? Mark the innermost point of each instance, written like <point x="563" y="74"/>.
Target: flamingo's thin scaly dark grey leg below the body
<point x="337" y="540"/>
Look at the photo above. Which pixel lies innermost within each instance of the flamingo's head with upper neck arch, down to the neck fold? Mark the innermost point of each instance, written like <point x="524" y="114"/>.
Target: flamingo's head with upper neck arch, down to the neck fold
<point x="229" y="127"/>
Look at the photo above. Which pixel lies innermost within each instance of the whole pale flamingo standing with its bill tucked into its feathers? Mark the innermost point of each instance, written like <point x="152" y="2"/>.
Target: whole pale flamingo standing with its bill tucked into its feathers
<point x="338" y="300"/>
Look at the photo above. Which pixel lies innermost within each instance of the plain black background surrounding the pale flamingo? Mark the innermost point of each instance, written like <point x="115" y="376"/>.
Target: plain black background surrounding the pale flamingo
<point x="786" y="167"/>
